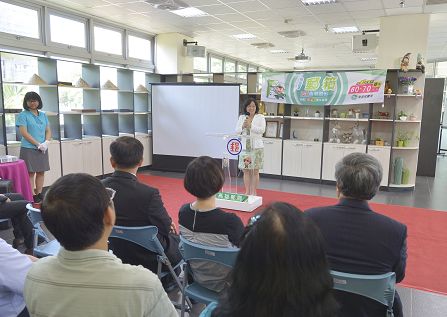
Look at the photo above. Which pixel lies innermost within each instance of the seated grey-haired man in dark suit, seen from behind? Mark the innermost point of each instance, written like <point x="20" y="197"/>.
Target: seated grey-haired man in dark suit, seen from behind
<point x="359" y="240"/>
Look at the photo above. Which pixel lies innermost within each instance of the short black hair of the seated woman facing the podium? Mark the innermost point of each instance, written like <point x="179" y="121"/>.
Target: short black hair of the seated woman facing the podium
<point x="203" y="177"/>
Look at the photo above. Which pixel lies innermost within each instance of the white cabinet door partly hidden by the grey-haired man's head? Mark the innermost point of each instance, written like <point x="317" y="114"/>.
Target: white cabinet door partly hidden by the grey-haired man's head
<point x="334" y="152"/>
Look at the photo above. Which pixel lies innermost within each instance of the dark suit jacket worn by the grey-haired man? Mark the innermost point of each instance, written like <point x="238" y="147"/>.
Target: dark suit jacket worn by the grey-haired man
<point x="361" y="241"/>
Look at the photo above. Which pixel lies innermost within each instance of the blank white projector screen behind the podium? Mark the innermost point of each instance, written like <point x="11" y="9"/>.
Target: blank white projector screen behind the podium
<point x="183" y="116"/>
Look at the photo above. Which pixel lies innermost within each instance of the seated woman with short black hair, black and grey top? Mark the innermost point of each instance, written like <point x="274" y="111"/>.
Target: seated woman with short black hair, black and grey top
<point x="201" y="222"/>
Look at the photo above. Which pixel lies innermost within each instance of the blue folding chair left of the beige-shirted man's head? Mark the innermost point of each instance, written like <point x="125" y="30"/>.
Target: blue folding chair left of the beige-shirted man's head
<point x="50" y="246"/>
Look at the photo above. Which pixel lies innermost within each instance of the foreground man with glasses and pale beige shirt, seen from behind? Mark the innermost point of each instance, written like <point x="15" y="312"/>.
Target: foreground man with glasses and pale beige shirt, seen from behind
<point x="84" y="279"/>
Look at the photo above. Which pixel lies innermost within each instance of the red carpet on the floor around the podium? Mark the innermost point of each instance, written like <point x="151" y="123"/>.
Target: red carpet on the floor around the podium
<point x="427" y="229"/>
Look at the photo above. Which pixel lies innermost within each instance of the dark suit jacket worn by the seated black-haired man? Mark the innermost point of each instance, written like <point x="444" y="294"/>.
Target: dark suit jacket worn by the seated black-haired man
<point x="137" y="204"/>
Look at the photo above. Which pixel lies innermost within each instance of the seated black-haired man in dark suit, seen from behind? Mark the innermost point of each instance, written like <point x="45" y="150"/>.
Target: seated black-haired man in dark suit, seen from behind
<point x="137" y="204"/>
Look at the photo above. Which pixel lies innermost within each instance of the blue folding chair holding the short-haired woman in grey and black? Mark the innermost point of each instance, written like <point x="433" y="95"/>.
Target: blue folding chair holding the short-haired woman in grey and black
<point x="194" y="251"/>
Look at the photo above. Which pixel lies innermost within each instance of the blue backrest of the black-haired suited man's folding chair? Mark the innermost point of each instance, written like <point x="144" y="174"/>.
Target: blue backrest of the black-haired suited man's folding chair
<point x="145" y="237"/>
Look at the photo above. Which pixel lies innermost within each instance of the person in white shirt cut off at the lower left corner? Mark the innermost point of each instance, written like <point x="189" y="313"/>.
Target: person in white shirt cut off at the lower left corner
<point x="13" y="268"/>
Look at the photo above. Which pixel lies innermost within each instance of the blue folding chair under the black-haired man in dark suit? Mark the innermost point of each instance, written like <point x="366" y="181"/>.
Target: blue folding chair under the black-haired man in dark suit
<point x="146" y="237"/>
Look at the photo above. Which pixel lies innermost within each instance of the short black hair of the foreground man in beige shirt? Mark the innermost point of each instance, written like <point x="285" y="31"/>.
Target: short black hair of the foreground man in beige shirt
<point x="73" y="210"/>
